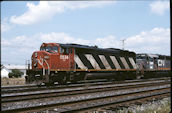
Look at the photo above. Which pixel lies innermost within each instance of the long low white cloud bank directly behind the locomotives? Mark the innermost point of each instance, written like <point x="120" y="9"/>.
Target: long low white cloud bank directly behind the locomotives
<point x="21" y="48"/>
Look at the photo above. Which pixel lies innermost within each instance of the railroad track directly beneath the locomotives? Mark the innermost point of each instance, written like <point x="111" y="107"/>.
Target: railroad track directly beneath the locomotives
<point x="33" y="87"/>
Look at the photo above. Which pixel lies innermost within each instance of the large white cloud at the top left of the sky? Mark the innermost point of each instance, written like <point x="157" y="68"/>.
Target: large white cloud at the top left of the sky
<point x="47" y="9"/>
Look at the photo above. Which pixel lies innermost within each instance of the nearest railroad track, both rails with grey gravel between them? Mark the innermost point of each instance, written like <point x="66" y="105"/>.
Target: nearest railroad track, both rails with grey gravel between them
<point x="87" y="97"/>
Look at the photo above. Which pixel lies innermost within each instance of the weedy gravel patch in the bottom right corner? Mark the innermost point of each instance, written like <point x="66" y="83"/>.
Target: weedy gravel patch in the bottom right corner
<point x="154" y="106"/>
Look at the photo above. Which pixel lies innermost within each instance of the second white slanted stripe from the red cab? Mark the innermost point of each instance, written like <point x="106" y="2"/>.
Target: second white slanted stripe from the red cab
<point x="92" y="61"/>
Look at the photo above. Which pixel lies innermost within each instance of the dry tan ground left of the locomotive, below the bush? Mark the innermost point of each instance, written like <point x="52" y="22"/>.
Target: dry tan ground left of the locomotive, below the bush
<point x="12" y="81"/>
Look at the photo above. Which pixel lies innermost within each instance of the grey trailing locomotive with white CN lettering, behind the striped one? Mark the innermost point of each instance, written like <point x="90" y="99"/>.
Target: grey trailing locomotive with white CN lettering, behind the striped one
<point x="153" y="65"/>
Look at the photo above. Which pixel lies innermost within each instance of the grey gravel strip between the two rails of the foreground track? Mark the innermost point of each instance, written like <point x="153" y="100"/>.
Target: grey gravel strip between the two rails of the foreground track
<point x="38" y="102"/>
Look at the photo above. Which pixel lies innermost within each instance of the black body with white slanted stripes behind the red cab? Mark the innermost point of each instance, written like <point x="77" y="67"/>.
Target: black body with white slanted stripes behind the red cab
<point x="107" y="63"/>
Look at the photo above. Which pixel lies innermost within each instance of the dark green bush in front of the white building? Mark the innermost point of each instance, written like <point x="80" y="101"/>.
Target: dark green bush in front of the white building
<point x="15" y="73"/>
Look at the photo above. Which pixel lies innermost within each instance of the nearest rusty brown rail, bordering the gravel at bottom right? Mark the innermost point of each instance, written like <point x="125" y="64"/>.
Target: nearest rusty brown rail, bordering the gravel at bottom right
<point x="61" y="106"/>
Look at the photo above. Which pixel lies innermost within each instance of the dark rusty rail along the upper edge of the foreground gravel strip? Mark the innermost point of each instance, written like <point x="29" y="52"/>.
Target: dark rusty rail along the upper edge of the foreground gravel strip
<point x="12" y="98"/>
